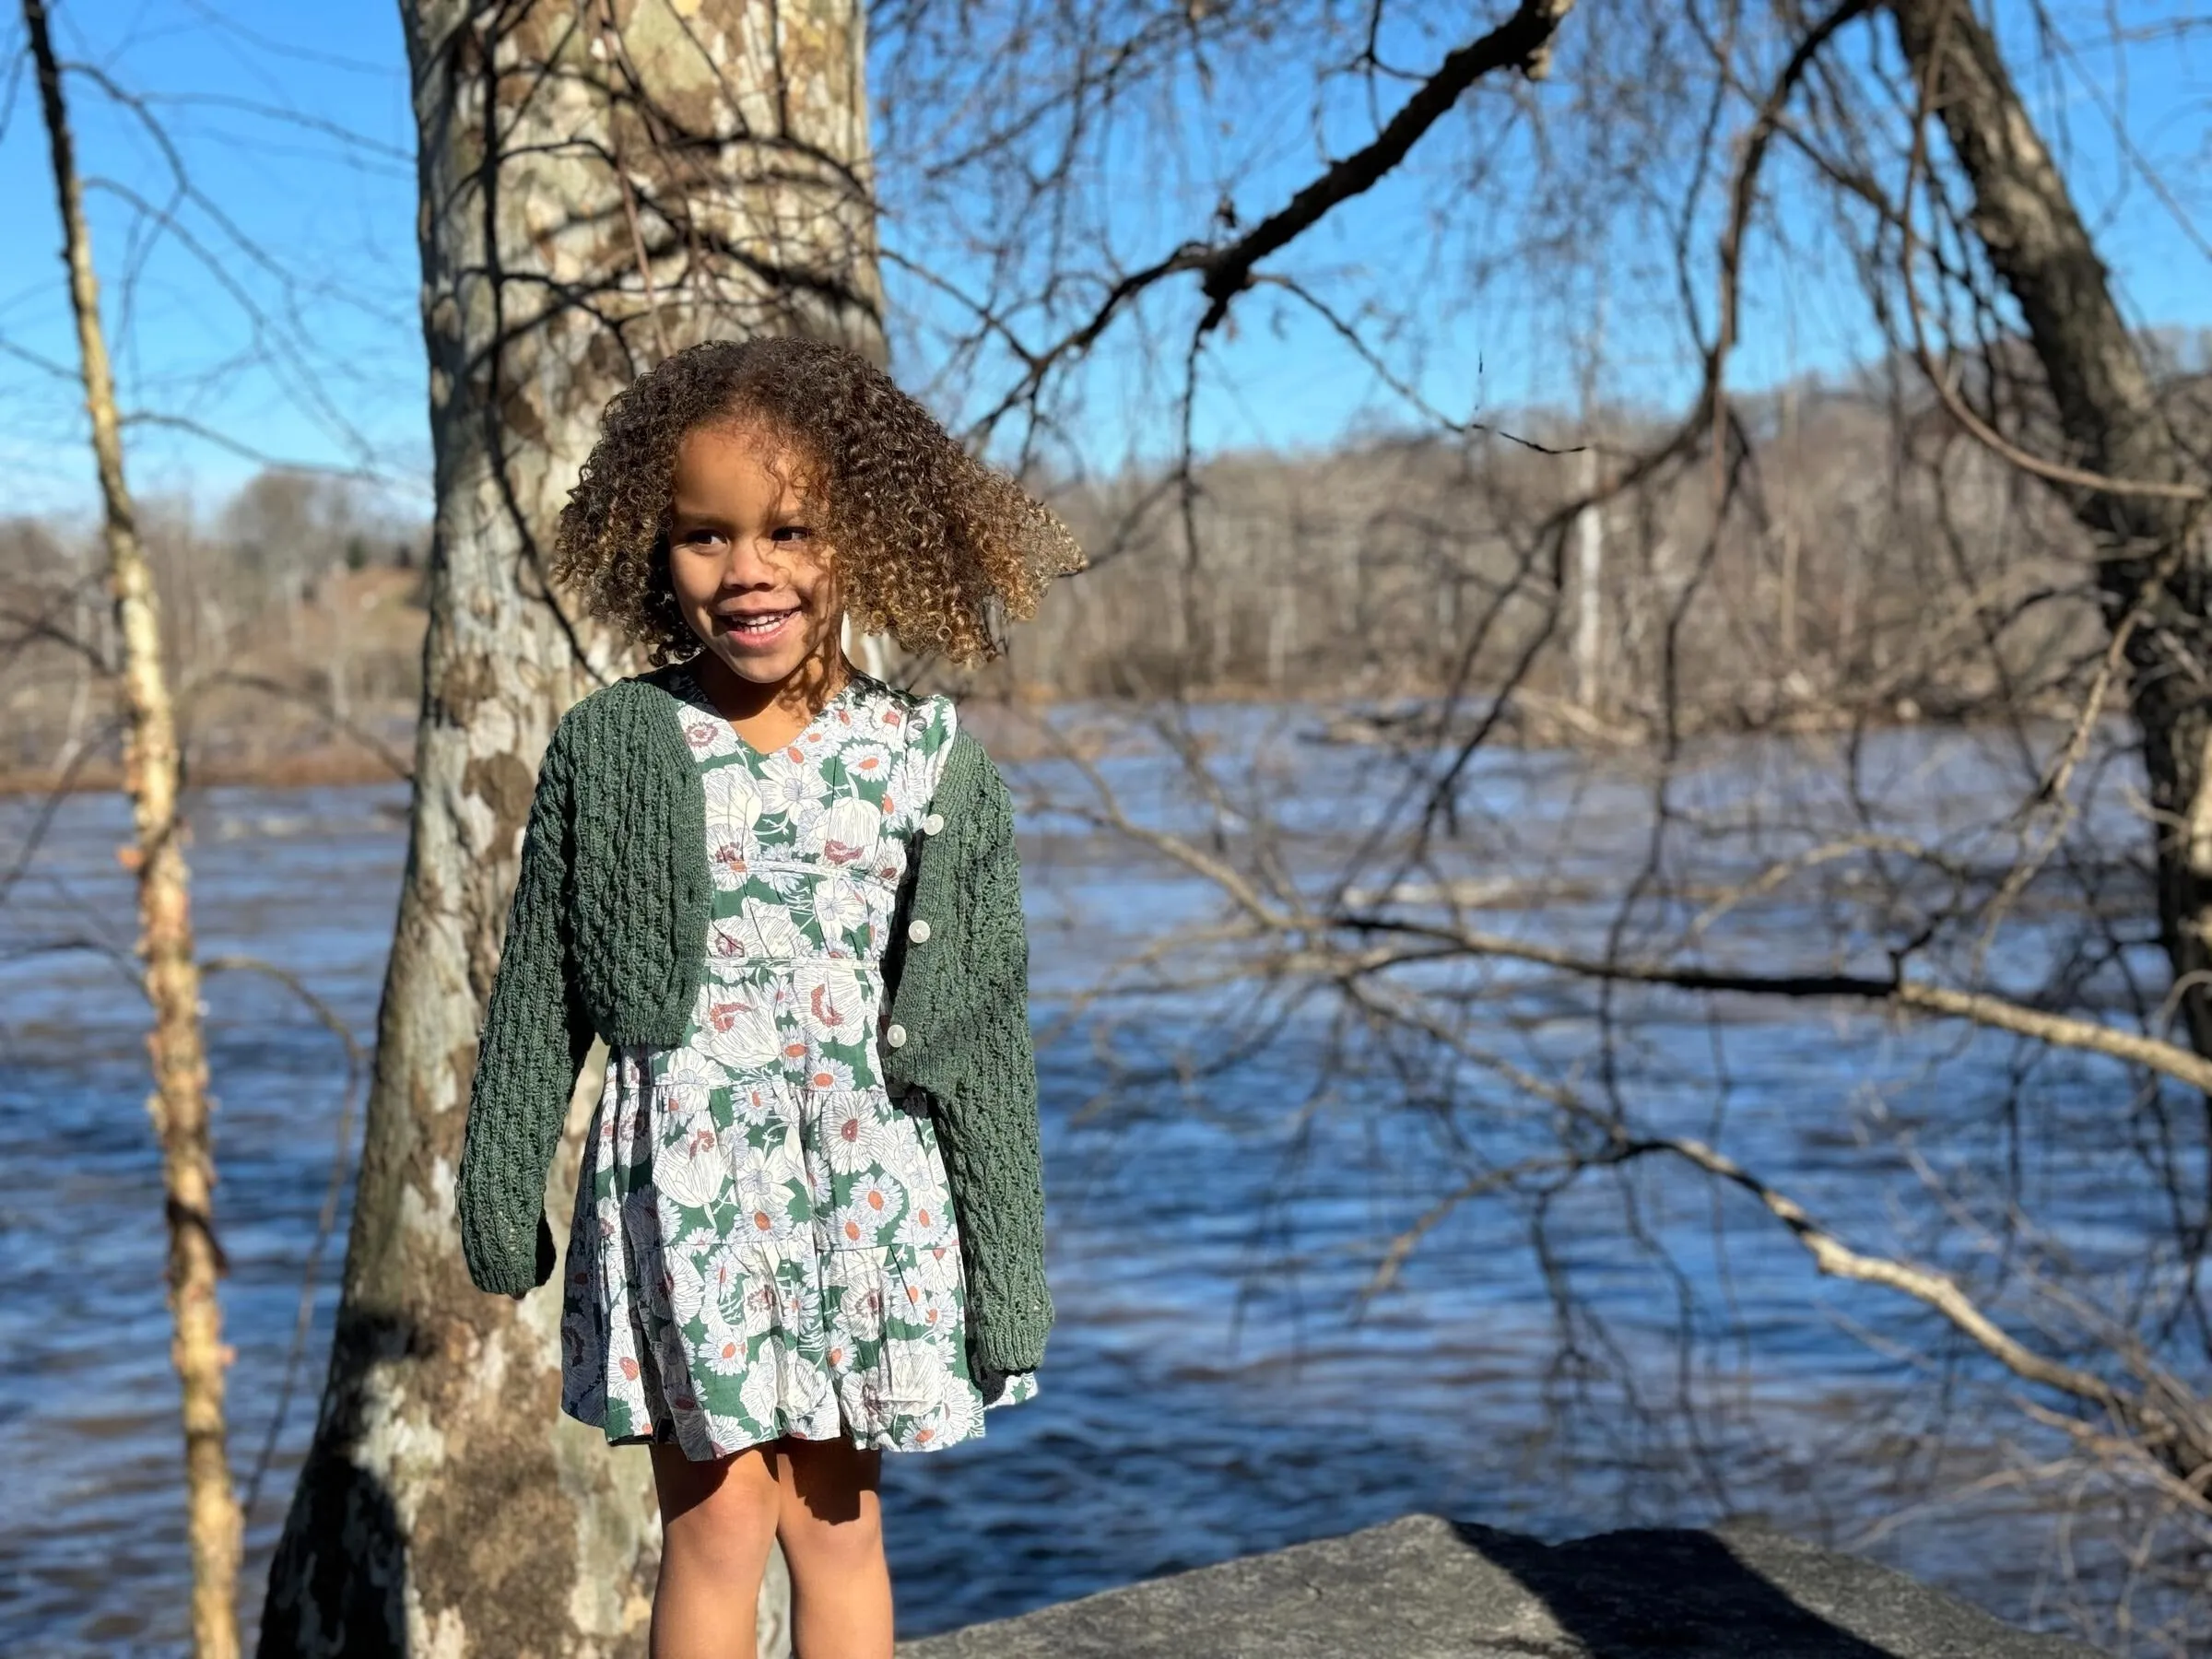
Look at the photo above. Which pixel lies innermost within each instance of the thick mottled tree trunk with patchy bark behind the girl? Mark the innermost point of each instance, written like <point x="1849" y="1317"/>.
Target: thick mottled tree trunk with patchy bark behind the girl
<point x="601" y="185"/>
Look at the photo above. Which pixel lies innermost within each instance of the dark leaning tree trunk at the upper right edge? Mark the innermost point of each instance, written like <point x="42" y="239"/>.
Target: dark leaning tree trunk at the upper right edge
<point x="2109" y="413"/>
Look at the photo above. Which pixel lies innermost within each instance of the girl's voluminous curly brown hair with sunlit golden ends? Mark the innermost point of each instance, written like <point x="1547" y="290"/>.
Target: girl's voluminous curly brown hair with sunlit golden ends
<point x="926" y="539"/>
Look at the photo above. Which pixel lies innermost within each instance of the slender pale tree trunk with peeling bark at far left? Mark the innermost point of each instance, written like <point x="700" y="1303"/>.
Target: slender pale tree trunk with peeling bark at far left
<point x="180" y="1063"/>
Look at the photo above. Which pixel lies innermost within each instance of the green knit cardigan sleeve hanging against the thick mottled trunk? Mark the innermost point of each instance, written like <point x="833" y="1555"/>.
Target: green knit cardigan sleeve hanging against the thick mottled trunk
<point x="528" y="1061"/>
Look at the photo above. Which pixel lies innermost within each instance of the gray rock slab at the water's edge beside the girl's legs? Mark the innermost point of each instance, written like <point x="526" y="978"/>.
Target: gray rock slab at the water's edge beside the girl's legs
<point x="1432" y="1589"/>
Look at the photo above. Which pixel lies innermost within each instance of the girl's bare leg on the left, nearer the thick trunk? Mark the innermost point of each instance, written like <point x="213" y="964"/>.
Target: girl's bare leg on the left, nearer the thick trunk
<point x="718" y="1521"/>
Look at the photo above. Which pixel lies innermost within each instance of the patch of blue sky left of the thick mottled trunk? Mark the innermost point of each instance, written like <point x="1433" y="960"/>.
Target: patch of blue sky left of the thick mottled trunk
<point x="293" y="328"/>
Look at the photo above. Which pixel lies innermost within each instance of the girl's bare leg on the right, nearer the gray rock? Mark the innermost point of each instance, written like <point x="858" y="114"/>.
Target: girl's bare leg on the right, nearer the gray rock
<point x="831" y="1521"/>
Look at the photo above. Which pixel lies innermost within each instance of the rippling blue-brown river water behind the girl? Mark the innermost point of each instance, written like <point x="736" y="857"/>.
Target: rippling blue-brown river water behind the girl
<point x="1634" y="1350"/>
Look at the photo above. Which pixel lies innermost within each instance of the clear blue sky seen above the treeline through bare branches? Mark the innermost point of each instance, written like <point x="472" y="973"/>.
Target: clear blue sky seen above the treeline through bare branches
<point x="278" y="322"/>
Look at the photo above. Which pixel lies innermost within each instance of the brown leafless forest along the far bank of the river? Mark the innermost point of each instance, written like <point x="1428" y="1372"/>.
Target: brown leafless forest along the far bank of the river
<point x="1855" y="585"/>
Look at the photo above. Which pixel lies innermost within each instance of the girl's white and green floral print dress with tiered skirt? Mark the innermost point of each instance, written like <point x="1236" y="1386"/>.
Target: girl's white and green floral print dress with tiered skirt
<point x="764" y="1242"/>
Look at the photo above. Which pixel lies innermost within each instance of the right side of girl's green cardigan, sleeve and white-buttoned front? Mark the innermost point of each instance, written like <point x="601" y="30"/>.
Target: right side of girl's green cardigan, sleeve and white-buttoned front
<point x="966" y="999"/>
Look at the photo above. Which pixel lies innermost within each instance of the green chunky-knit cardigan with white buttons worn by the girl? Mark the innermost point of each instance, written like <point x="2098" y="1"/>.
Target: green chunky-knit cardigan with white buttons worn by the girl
<point x="607" y="937"/>
